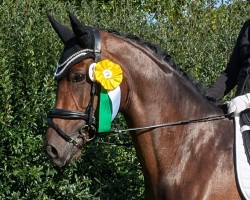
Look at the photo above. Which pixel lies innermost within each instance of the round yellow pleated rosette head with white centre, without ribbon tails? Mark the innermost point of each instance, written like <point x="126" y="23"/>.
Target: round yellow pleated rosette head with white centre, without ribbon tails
<point x="108" y="74"/>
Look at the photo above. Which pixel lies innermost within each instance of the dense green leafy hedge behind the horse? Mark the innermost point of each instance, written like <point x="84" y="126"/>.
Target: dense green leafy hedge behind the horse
<point x="200" y="41"/>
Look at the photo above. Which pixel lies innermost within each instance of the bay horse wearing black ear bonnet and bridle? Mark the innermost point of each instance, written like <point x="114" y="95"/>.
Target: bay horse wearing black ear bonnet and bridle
<point x="182" y="161"/>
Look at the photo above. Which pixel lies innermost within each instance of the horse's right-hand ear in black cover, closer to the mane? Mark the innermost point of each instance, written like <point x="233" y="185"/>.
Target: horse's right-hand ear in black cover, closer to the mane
<point x="82" y="33"/>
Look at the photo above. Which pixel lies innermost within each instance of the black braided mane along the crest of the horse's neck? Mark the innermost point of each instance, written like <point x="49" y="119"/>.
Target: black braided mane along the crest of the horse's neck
<point x="164" y="56"/>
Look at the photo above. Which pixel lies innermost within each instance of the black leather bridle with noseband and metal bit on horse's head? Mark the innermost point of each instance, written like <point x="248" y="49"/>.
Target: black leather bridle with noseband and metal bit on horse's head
<point x="88" y="115"/>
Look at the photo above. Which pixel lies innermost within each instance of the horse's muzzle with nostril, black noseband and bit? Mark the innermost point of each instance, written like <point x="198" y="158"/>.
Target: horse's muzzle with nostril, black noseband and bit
<point x="63" y="148"/>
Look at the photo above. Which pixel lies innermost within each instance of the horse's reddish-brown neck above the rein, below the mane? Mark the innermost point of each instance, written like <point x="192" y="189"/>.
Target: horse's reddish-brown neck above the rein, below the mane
<point x="151" y="87"/>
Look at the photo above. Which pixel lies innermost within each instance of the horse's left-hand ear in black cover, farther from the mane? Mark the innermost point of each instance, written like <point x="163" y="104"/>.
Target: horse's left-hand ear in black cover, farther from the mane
<point x="62" y="31"/>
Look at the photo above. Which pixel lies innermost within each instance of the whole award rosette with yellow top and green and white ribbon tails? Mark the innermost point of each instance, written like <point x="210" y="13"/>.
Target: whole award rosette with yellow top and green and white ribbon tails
<point x="109" y="75"/>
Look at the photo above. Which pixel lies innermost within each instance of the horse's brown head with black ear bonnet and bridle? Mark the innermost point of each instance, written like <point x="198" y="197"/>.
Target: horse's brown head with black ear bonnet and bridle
<point x="72" y="122"/>
